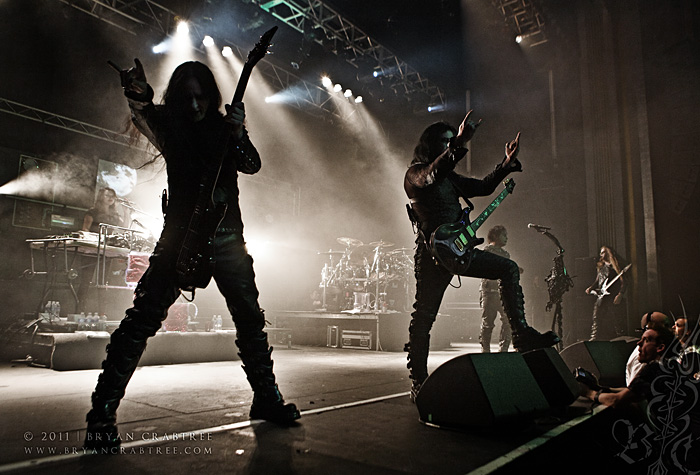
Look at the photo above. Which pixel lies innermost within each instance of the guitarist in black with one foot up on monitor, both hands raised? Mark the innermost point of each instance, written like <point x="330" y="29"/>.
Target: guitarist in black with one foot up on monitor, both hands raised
<point x="434" y="189"/>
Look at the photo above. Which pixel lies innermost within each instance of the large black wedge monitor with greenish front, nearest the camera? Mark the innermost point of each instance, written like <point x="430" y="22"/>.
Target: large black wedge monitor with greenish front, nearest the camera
<point x="481" y="390"/>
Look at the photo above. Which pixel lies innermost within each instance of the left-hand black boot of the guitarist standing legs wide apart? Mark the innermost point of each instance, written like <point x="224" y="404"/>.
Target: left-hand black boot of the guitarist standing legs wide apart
<point x="123" y="354"/>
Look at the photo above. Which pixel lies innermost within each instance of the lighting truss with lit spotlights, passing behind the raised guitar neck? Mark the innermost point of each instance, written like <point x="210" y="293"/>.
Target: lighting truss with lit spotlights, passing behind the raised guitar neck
<point x="135" y="15"/>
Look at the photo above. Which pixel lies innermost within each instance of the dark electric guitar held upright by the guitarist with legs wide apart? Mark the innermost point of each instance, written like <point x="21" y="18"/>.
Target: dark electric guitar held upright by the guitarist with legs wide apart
<point x="195" y="262"/>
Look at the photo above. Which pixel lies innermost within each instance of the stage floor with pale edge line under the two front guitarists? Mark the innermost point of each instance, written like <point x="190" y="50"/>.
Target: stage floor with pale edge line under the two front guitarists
<point x="356" y="418"/>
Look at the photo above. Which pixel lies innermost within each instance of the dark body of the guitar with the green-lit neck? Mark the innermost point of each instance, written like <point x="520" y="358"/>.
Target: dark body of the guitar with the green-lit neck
<point x="454" y="241"/>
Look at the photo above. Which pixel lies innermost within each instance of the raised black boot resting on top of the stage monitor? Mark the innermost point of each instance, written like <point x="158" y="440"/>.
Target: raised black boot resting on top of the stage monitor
<point x="525" y="338"/>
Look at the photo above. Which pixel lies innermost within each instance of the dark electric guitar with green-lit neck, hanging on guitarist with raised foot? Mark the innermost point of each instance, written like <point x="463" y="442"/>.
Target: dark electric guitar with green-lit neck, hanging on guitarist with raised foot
<point x="453" y="241"/>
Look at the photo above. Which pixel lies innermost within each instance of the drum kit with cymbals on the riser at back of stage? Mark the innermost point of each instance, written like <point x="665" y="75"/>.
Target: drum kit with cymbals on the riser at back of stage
<point x="366" y="277"/>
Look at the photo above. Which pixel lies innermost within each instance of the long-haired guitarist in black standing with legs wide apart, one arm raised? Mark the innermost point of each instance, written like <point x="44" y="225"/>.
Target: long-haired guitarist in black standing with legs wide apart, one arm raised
<point x="187" y="129"/>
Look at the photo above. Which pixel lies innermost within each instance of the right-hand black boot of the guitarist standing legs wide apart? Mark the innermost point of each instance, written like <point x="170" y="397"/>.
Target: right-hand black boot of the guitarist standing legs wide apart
<point x="268" y="403"/>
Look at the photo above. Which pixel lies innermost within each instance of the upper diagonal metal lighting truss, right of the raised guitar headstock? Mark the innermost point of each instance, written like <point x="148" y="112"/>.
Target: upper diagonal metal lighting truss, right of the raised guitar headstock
<point x="341" y="36"/>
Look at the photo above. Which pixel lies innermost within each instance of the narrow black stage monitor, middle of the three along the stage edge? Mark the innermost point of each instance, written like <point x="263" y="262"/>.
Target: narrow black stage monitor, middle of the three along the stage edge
<point x="555" y="379"/>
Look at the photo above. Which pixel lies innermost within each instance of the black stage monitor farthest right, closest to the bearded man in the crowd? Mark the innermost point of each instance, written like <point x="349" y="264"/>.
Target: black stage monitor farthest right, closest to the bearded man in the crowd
<point x="607" y="360"/>
